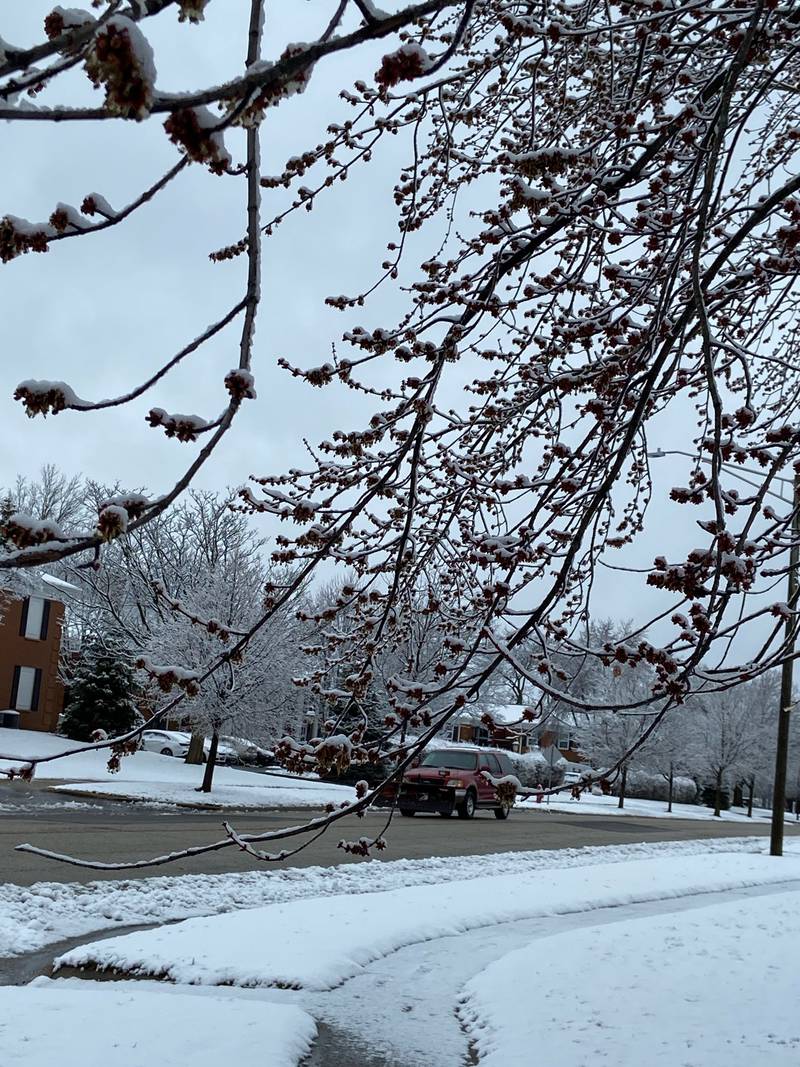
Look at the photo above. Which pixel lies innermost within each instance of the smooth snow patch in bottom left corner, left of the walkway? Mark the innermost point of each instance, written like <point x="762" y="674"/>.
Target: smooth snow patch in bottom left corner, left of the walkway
<point x="50" y="1024"/>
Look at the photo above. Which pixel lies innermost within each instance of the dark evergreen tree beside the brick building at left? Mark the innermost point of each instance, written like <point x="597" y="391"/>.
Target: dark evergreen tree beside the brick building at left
<point x="102" y="694"/>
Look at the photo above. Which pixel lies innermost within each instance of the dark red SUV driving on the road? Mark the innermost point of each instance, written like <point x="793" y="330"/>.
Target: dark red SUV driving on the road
<point x="451" y="781"/>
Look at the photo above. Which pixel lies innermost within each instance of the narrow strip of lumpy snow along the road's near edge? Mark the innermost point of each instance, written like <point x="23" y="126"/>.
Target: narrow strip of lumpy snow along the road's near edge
<point x="35" y="916"/>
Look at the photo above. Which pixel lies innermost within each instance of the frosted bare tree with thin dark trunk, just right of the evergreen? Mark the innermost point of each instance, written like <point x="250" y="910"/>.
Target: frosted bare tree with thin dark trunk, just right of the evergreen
<point x="180" y="593"/>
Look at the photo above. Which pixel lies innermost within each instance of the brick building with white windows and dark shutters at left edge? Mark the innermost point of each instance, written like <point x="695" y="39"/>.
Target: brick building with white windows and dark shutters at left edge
<point x="30" y="646"/>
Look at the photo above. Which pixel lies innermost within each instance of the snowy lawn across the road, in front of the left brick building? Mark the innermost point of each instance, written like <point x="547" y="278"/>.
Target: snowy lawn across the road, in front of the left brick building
<point x="152" y="777"/>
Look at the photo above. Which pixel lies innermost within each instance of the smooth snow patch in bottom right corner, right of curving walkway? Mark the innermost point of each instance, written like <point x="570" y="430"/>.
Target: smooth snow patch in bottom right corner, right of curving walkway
<point x="715" y="988"/>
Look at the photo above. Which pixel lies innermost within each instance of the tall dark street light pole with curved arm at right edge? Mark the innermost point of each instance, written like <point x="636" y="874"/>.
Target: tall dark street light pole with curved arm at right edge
<point x="782" y="743"/>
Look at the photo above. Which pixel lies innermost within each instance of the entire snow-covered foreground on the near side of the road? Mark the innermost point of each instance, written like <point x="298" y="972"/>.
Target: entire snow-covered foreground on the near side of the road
<point x="617" y="954"/>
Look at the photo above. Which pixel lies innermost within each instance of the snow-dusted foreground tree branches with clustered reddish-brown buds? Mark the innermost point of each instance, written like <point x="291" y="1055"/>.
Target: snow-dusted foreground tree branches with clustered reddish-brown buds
<point x="612" y="205"/>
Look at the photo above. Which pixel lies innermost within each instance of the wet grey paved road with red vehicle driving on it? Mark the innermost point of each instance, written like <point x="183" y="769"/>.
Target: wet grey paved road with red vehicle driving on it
<point x="116" y="832"/>
